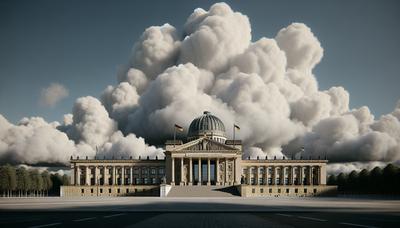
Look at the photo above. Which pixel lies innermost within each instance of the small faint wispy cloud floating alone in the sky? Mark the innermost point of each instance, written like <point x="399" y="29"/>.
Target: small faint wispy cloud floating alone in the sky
<point x="51" y="95"/>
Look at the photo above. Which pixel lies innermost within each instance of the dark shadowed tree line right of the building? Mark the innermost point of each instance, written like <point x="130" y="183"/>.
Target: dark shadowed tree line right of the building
<point x="375" y="181"/>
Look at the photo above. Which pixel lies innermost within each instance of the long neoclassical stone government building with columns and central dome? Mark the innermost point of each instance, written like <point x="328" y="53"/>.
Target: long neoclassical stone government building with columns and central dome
<point x="206" y="164"/>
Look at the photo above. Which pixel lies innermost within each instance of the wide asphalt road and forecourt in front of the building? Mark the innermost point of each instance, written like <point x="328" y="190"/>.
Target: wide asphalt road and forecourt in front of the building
<point x="199" y="212"/>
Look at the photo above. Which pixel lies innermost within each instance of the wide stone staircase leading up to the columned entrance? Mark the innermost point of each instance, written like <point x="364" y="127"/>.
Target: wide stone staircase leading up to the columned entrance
<point x="203" y="191"/>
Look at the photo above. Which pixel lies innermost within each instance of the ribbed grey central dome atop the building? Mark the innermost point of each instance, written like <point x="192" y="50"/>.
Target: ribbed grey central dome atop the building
<point x="207" y="125"/>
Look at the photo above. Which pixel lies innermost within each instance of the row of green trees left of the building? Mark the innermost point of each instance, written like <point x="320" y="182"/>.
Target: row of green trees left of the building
<point x="21" y="182"/>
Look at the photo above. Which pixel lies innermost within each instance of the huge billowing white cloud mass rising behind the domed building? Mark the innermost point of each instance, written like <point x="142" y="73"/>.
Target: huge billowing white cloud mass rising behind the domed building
<point x="267" y="87"/>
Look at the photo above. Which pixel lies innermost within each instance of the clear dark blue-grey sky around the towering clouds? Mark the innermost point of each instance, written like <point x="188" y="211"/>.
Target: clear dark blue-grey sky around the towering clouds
<point x="82" y="44"/>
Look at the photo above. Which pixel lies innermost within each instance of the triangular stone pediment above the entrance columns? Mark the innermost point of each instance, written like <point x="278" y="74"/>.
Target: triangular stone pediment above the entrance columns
<point x="204" y="143"/>
